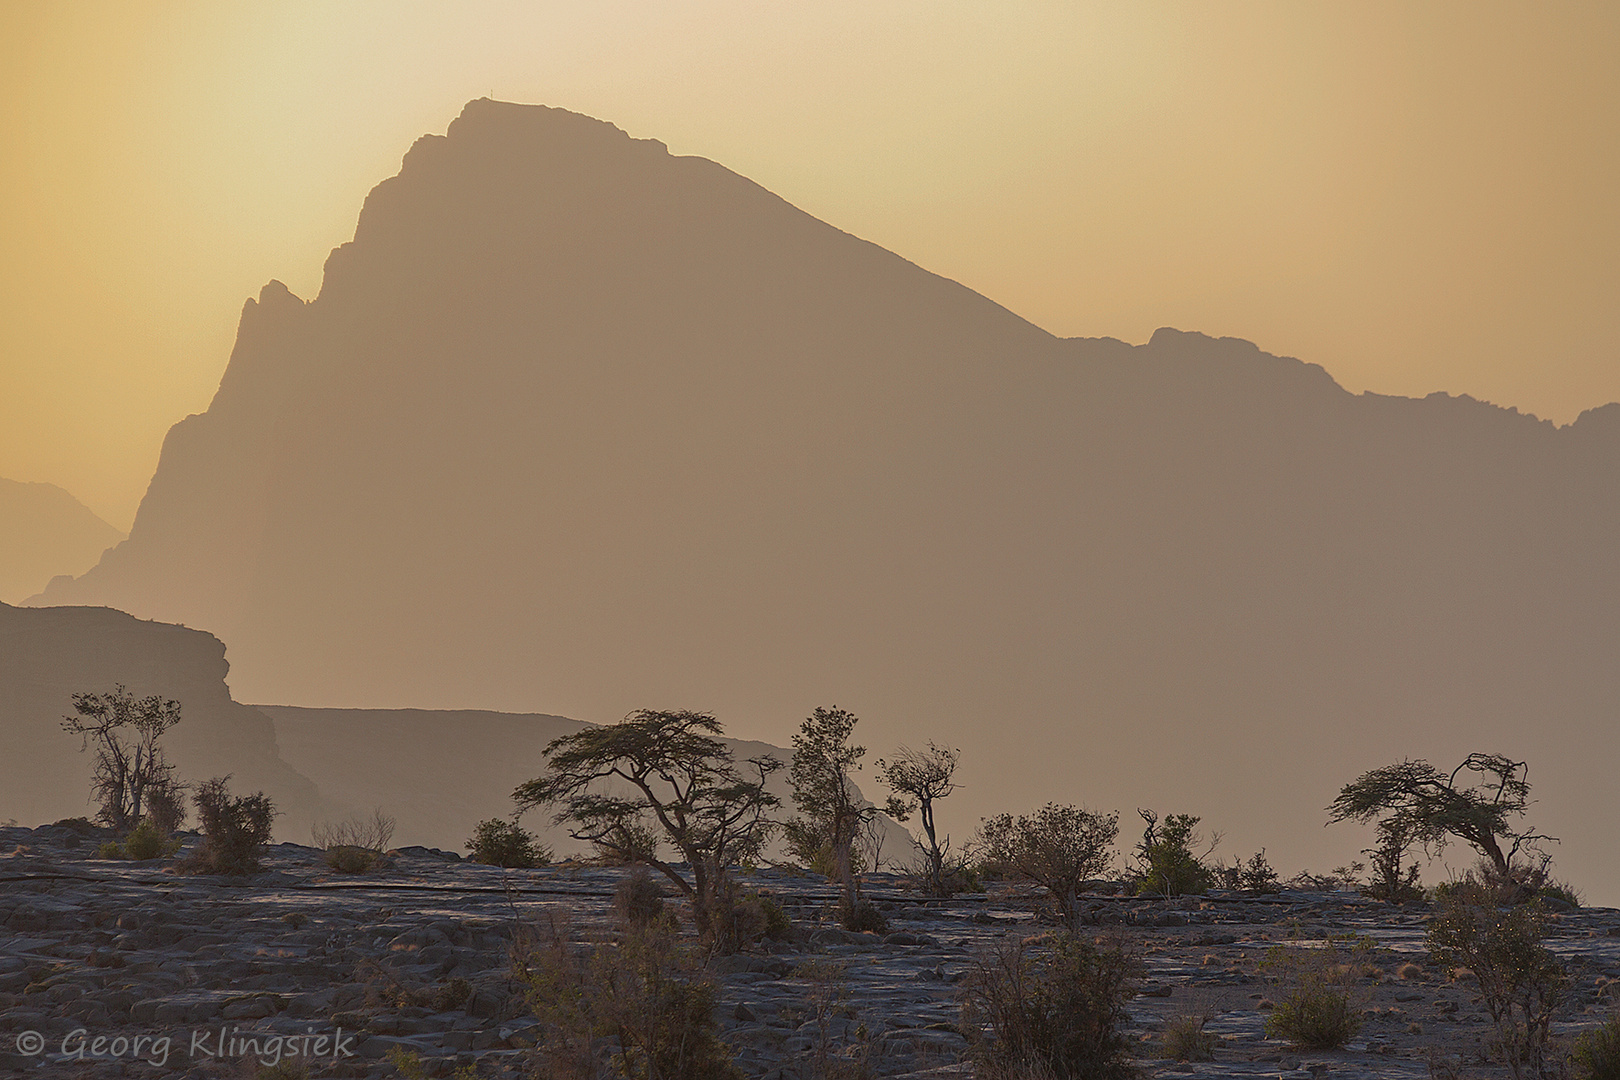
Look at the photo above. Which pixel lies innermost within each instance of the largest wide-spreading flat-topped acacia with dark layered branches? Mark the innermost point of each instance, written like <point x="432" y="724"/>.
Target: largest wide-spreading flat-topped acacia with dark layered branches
<point x="684" y="776"/>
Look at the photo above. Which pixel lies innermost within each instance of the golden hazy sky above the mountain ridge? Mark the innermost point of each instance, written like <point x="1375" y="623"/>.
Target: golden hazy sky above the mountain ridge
<point x="1417" y="197"/>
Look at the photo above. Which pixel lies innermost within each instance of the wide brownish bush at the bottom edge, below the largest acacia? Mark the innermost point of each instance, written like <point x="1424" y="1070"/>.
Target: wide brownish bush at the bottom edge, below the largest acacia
<point x="639" y="1008"/>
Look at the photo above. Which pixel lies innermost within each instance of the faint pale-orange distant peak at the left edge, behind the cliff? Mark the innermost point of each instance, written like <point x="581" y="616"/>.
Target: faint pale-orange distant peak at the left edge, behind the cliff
<point x="46" y="532"/>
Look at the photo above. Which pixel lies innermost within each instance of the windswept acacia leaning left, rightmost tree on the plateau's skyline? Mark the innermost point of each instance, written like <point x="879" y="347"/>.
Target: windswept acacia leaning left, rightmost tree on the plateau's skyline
<point x="1417" y="801"/>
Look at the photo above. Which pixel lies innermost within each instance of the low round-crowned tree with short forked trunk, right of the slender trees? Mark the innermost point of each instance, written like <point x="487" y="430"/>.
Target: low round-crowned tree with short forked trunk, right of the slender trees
<point x="1057" y="848"/>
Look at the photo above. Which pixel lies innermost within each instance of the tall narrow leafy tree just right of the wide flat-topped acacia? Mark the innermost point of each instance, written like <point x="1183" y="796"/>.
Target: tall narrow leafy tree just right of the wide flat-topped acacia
<point x="825" y="793"/>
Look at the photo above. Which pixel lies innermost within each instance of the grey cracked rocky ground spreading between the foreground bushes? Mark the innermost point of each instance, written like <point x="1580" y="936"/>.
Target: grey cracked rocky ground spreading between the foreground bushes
<point x="417" y="956"/>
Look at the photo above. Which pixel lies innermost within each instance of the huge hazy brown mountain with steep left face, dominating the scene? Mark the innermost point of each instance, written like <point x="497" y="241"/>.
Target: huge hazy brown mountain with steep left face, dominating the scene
<point x="582" y="427"/>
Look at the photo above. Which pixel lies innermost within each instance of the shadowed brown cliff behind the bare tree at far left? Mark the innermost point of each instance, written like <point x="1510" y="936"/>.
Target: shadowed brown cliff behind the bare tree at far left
<point x="49" y="655"/>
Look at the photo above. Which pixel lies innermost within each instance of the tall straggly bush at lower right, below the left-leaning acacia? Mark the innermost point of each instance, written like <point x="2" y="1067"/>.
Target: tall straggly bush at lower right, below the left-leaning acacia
<point x="1520" y="982"/>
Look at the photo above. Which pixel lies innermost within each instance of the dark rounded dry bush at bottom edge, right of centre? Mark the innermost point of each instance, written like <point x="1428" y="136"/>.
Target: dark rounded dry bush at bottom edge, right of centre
<point x="1049" y="1010"/>
